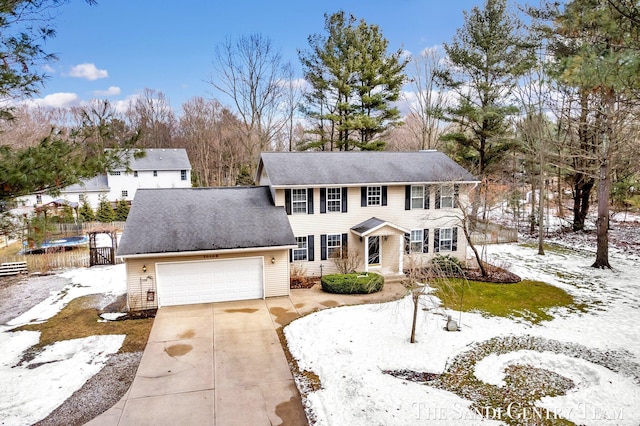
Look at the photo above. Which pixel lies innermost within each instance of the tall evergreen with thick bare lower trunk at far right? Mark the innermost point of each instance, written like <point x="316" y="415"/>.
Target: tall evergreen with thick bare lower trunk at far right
<point x="596" y="52"/>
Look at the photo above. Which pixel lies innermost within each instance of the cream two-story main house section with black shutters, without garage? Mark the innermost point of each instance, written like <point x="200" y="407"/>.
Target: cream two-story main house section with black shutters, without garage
<point x="375" y="205"/>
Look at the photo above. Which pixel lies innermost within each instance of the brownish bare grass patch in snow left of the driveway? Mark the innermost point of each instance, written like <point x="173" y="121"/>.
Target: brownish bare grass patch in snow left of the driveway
<point x="80" y="319"/>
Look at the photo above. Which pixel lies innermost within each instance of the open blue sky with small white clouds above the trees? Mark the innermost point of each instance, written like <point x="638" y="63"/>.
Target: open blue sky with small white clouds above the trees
<point x="120" y="47"/>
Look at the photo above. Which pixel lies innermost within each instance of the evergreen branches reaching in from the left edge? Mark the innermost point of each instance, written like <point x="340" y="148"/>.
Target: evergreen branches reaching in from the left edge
<point x="62" y="158"/>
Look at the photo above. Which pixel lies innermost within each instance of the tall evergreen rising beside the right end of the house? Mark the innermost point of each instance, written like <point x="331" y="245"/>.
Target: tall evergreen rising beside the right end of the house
<point x="486" y="57"/>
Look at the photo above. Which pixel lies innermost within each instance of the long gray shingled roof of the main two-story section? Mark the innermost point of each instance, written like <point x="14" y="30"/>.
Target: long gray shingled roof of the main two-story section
<point x="360" y="167"/>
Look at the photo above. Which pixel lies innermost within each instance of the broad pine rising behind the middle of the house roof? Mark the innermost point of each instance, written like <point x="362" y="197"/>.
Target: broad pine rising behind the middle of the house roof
<point x="353" y="83"/>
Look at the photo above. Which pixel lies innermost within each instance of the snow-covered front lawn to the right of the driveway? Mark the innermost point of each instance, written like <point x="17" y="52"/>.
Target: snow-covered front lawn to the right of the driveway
<point x="598" y="349"/>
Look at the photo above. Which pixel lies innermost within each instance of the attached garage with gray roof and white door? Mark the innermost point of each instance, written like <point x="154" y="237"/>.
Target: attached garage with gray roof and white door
<point x="204" y="245"/>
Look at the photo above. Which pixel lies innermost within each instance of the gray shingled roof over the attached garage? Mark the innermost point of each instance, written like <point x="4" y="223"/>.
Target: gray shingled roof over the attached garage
<point x="197" y="219"/>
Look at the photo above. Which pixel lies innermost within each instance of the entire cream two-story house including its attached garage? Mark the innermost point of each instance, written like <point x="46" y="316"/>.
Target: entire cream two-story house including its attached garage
<point x="204" y="245"/>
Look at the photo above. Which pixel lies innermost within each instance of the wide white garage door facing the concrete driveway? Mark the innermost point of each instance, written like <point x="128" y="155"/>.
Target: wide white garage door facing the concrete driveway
<point x="184" y="283"/>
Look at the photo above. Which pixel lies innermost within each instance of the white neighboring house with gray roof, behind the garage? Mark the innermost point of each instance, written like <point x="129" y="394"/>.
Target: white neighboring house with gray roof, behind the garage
<point x="159" y="168"/>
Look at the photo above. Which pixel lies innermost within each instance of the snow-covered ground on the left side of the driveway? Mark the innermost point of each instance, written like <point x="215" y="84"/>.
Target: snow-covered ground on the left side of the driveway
<point x="29" y="391"/>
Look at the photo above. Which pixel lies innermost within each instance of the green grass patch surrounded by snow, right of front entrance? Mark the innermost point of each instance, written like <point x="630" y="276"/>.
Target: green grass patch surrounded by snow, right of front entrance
<point x="527" y="299"/>
